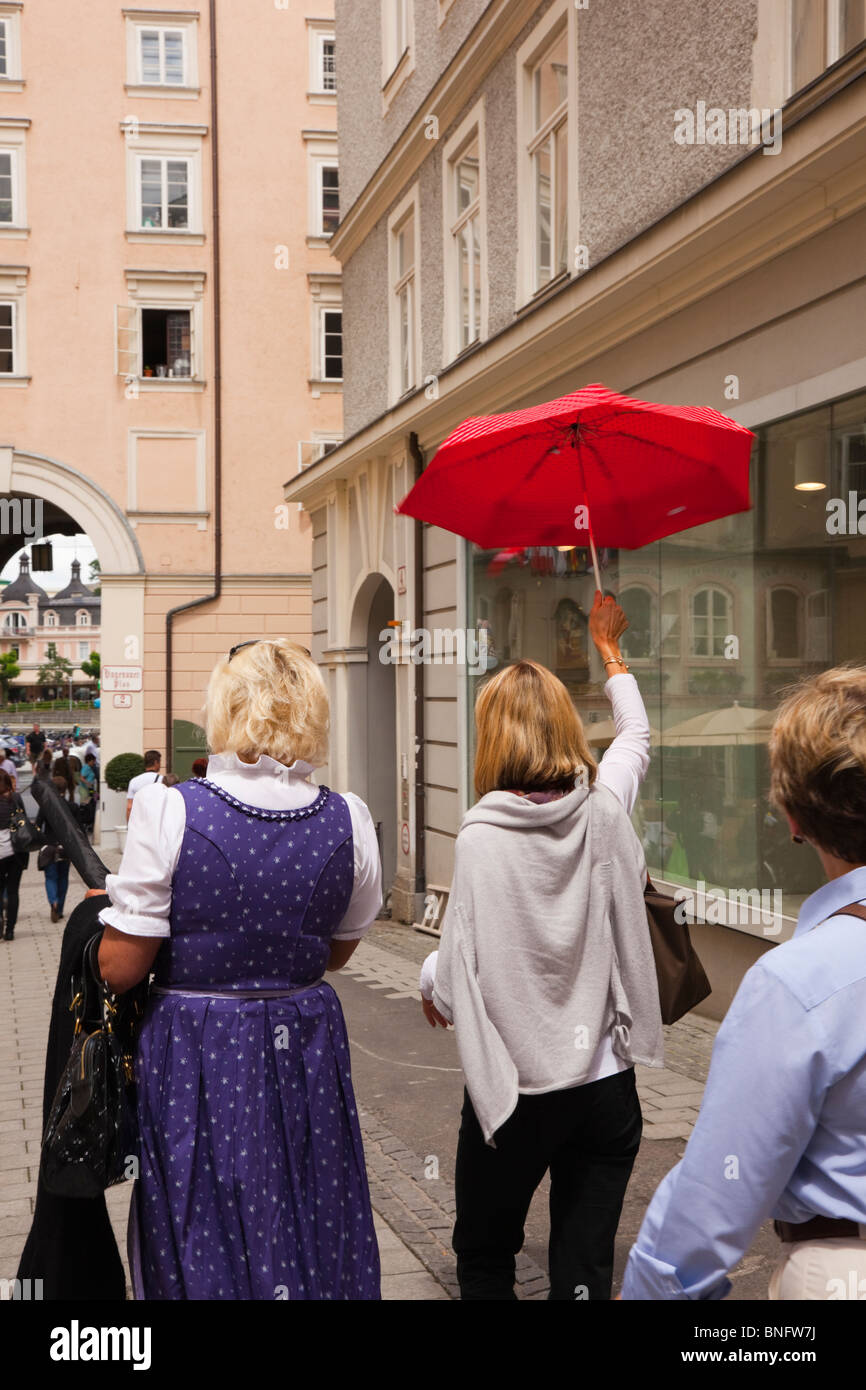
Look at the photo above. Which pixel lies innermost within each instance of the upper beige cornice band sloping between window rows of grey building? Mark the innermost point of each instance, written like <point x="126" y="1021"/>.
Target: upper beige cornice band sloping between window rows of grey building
<point x="459" y="84"/>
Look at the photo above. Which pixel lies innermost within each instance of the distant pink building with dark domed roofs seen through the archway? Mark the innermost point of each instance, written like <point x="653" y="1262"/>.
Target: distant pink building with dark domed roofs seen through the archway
<point x="31" y="619"/>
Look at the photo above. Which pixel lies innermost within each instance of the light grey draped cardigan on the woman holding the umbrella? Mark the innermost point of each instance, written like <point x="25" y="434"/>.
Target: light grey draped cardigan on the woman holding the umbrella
<point x="546" y="947"/>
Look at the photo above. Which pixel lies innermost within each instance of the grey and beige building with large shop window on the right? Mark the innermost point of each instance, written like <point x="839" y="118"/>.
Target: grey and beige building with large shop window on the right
<point x="668" y="199"/>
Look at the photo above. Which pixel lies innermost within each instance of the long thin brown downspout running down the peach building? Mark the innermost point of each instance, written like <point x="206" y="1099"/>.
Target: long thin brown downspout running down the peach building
<point x="208" y="598"/>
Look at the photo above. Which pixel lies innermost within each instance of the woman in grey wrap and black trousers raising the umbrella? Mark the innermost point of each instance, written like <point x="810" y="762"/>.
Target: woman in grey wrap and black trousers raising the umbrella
<point x="546" y="970"/>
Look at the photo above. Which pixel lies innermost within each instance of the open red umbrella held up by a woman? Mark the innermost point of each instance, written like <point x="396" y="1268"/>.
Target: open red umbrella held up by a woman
<point x="591" y="468"/>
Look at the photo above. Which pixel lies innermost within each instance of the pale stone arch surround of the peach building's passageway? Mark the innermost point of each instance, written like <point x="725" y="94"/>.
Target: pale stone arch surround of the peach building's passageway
<point x="123" y="573"/>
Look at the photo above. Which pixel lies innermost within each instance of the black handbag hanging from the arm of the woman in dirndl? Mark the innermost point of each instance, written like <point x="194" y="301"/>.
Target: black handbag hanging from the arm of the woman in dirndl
<point x="91" y="1138"/>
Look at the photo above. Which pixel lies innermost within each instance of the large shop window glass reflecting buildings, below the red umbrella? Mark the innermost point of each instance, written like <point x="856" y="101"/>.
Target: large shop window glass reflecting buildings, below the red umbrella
<point x="722" y="621"/>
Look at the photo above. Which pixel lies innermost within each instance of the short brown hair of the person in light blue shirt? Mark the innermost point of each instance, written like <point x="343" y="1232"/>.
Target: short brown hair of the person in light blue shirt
<point x="818" y="761"/>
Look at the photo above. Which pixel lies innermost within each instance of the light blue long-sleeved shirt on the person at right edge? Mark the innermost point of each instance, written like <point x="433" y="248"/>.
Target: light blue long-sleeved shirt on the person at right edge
<point x="783" y="1125"/>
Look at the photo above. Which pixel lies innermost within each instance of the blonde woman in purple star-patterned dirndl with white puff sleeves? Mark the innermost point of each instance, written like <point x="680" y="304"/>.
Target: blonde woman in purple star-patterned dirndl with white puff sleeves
<point x="241" y="890"/>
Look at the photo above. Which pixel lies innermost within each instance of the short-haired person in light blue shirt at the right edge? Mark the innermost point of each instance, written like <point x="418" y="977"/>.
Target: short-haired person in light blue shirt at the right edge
<point x="782" y="1131"/>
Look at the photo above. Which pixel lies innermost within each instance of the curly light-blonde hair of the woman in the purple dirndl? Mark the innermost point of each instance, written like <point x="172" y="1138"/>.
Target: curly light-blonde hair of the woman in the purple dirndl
<point x="269" y="700"/>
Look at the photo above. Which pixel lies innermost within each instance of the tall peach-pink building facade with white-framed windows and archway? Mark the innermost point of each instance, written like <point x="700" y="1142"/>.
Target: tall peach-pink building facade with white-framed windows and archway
<point x="170" y="323"/>
